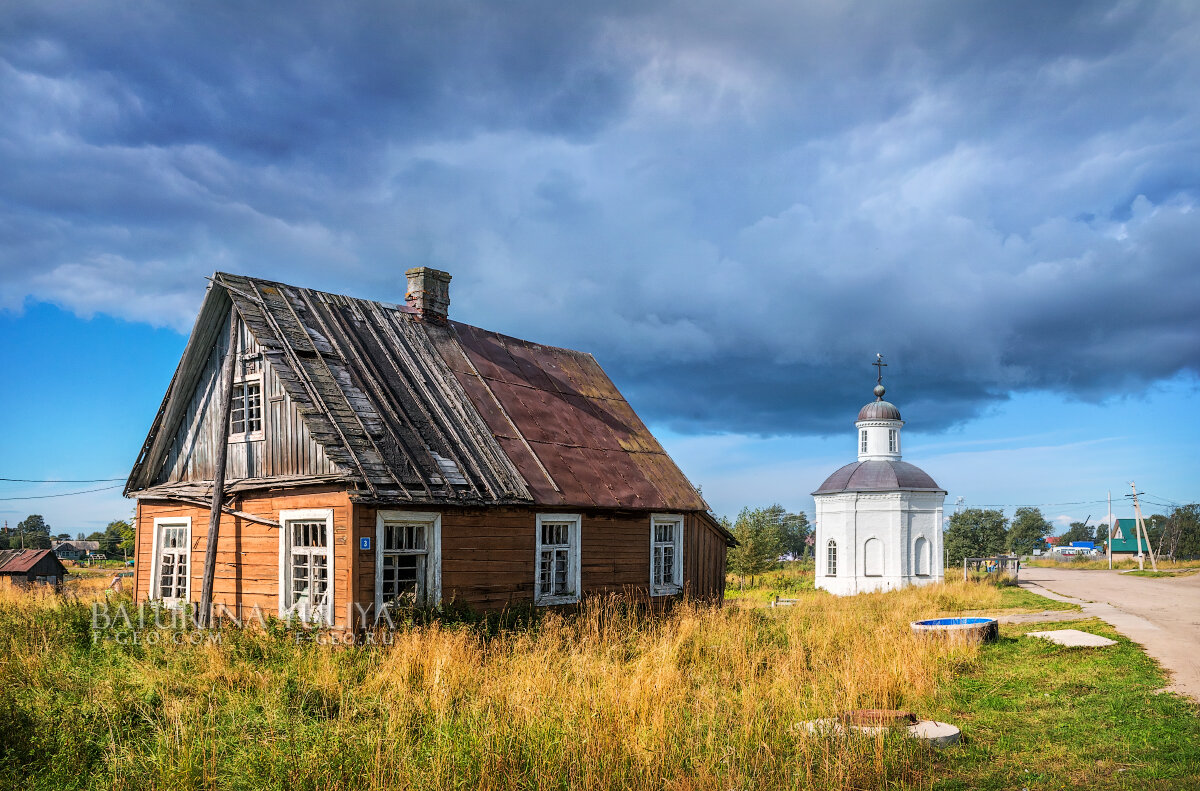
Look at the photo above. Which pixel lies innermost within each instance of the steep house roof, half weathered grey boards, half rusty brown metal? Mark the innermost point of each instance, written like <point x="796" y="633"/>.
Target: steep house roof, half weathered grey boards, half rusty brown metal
<point x="417" y="412"/>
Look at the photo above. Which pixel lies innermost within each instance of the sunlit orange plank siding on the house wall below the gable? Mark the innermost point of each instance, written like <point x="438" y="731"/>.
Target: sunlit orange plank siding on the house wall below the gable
<point x="248" y="571"/>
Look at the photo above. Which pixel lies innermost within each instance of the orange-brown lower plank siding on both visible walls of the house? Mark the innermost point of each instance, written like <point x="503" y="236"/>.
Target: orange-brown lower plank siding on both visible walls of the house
<point x="488" y="555"/>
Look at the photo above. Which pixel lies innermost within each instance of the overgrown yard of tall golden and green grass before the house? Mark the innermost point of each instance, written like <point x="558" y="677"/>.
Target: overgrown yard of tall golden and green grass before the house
<point x="610" y="698"/>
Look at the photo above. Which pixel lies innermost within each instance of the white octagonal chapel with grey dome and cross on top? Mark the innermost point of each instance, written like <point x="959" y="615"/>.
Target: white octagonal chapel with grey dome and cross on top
<point x="879" y="520"/>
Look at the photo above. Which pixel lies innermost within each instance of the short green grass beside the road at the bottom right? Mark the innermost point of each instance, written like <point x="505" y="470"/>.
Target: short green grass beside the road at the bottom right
<point x="1040" y="716"/>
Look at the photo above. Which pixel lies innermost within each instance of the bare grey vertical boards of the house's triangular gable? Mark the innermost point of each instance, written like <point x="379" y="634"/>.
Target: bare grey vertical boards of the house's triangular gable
<point x="286" y="447"/>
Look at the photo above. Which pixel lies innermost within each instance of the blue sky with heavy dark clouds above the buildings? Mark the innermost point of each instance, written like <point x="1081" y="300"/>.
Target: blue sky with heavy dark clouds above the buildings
<point x="734" y="207"/>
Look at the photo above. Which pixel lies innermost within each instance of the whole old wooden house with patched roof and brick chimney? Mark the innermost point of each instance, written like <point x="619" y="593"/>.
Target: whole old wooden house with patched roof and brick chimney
<point x="382" y="456"/>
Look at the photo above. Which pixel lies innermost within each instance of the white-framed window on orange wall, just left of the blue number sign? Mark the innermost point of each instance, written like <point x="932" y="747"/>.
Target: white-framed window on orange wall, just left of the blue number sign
<point x="307" y="566"/>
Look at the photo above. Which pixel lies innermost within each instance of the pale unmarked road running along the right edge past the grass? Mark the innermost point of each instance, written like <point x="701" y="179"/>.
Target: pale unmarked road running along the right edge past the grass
<point x="1162" y="615"/>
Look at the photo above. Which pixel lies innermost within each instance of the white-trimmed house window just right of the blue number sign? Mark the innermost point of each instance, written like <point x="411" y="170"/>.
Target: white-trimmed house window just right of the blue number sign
<point x="409" y="564"/>
